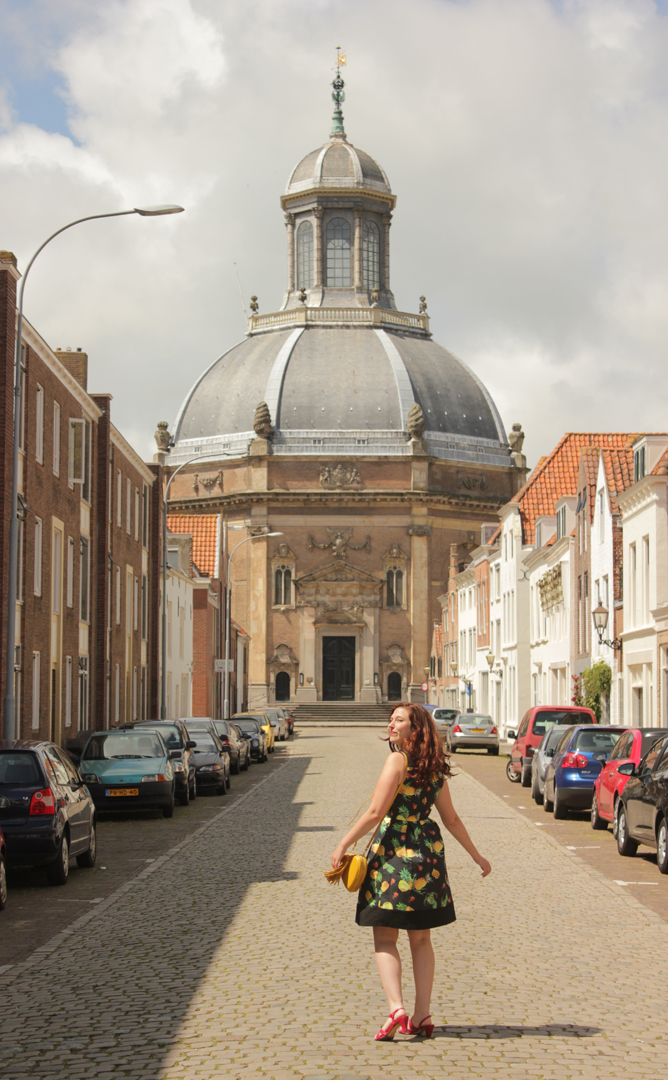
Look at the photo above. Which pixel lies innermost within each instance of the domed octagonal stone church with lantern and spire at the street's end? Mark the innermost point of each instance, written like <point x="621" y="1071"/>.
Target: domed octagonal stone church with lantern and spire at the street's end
<point x="340" y="425"/>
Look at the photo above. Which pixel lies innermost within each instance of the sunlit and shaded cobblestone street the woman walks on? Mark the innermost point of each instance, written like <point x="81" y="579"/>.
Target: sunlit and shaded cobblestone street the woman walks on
<point x="229" y="956"/>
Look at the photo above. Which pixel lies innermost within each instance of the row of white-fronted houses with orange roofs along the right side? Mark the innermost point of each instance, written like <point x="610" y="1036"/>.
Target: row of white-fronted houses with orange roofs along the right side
<point x="589" y="531"/>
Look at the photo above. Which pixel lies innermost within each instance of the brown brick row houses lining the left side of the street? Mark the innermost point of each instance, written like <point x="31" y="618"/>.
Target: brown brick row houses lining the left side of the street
<point x="88" y="585"/>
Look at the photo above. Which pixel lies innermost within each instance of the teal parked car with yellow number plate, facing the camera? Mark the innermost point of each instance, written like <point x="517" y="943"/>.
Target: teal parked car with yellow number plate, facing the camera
<point x="129" y="771"/>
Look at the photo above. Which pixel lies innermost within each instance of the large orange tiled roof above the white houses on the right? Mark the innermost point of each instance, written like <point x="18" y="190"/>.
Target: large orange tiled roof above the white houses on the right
<point x="556" y="476"/>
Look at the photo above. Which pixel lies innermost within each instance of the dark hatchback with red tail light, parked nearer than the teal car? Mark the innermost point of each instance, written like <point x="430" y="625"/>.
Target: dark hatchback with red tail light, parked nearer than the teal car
<point x="47" y="813"/>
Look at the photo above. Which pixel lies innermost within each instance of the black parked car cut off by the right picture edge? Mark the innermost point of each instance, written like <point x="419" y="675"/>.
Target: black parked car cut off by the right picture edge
<point x="643" y="808"/>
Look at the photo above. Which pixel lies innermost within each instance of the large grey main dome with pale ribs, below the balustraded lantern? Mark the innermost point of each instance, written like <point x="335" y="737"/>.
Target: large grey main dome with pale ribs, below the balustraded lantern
<point x="338" y="380"/>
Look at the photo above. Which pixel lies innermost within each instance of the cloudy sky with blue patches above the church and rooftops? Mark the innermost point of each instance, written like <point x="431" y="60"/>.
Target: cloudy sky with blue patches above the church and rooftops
<point x="527" y="143"/>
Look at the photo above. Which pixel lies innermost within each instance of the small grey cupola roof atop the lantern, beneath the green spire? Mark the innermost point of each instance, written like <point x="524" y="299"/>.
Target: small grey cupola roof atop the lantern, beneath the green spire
<point x="338" y="165"/>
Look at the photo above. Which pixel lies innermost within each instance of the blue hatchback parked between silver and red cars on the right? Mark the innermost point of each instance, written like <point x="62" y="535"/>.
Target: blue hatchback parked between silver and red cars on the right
<point x="578" y="761"/>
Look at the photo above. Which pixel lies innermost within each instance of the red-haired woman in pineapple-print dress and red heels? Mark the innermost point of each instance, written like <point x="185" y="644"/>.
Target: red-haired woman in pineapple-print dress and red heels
<point x="406" y="887"/>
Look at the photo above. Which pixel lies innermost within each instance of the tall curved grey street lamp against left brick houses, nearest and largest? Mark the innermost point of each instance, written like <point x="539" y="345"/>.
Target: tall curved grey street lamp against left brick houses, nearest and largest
<point x="10" y="699"/>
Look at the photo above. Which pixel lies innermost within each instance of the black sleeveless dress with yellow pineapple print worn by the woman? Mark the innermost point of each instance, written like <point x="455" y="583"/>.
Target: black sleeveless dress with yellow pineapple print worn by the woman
<point x="407" y="886"/>
